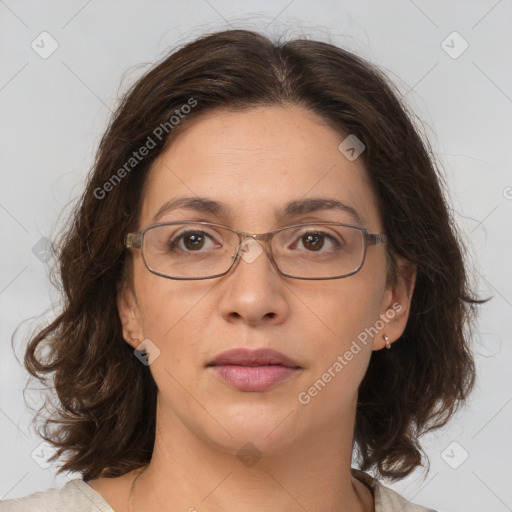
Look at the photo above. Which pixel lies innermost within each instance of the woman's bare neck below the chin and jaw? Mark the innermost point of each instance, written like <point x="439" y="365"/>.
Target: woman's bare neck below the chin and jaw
<point x="188" y="472"/>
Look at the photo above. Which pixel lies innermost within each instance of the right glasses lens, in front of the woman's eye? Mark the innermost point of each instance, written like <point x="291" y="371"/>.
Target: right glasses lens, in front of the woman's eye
<point x="319" y="251"/>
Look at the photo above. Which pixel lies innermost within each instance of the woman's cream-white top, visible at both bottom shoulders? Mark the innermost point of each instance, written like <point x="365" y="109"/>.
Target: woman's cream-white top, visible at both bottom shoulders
<point x="78" y="496"/>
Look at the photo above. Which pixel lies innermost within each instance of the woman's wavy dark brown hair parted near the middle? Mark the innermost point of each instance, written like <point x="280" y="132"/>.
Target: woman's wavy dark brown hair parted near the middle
<point x="103" y="421"/>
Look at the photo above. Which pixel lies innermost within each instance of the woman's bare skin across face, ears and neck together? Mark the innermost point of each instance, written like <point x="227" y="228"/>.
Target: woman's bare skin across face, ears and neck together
<point x="255" y="161"/>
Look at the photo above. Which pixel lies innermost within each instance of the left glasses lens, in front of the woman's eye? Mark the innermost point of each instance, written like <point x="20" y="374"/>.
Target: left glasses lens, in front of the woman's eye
<point x="189" y="250"/>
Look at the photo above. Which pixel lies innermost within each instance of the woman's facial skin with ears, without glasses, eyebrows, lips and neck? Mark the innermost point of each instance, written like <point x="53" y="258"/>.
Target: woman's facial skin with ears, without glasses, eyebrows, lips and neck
<point x="255" y="163"/>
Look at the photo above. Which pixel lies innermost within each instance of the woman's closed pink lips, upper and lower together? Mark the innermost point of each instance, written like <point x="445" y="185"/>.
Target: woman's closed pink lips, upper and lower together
<point x="253" y="370"/>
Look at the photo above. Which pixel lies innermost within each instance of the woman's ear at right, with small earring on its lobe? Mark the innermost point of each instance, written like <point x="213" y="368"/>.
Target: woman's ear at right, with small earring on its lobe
<point x="396" y="306"/>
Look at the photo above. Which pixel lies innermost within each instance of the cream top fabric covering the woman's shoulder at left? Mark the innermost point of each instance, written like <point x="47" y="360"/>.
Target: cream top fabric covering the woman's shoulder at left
<point x="76" y="495"/>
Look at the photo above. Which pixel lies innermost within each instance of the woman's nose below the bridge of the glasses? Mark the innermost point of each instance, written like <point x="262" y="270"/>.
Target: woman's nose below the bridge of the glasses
<point x="253" y="290"/>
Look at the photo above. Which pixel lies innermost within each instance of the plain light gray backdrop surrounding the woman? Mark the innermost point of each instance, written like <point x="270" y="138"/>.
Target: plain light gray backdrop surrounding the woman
<point x="54" y="111"/>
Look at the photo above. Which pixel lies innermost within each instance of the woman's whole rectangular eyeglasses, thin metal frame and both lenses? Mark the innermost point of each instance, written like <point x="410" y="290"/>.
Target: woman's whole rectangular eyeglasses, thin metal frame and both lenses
<point x="204" y="250"/>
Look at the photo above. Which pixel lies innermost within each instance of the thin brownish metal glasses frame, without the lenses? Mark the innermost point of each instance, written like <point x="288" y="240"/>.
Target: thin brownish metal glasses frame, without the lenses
<point x="136" y="241"/>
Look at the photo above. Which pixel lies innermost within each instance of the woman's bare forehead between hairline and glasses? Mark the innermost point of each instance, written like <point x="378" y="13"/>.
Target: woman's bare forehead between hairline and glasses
<point x="259" y="164"/>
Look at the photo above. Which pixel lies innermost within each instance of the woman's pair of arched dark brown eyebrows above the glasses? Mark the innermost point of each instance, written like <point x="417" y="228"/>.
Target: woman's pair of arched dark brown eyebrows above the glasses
<point x="291" y="209"/>
